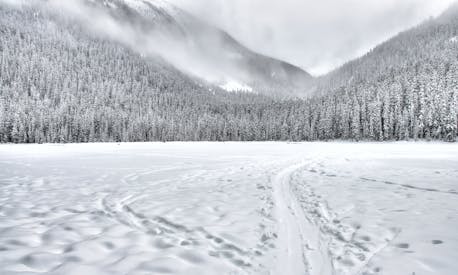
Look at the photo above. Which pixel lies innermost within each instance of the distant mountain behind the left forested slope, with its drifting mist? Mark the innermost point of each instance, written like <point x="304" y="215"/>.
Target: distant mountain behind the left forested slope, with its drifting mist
<point x="157" y="29"/>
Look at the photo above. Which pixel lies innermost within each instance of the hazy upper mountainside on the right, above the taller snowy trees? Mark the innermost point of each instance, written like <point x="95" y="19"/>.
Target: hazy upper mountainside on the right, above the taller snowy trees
<point x="415" y="48"/>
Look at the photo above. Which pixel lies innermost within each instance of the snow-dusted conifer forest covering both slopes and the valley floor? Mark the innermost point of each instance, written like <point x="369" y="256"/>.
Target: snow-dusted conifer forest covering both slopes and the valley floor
<point x="59" y="83"/>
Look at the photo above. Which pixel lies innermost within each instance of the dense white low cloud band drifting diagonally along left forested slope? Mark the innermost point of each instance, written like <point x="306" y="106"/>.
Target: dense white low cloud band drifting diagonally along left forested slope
<point x="145" y="41"/>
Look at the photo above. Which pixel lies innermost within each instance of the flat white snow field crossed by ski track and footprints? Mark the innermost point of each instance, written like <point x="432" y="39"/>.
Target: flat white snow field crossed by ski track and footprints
<point x="229" y="208"/>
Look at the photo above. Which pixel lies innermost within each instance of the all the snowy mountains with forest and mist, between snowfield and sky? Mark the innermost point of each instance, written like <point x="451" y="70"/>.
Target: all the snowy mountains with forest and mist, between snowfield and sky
<point x="112" y="70"/>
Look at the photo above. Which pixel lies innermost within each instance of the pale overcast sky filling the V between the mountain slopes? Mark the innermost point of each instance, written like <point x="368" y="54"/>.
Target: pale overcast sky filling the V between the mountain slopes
<point x="317" y="35"/>
